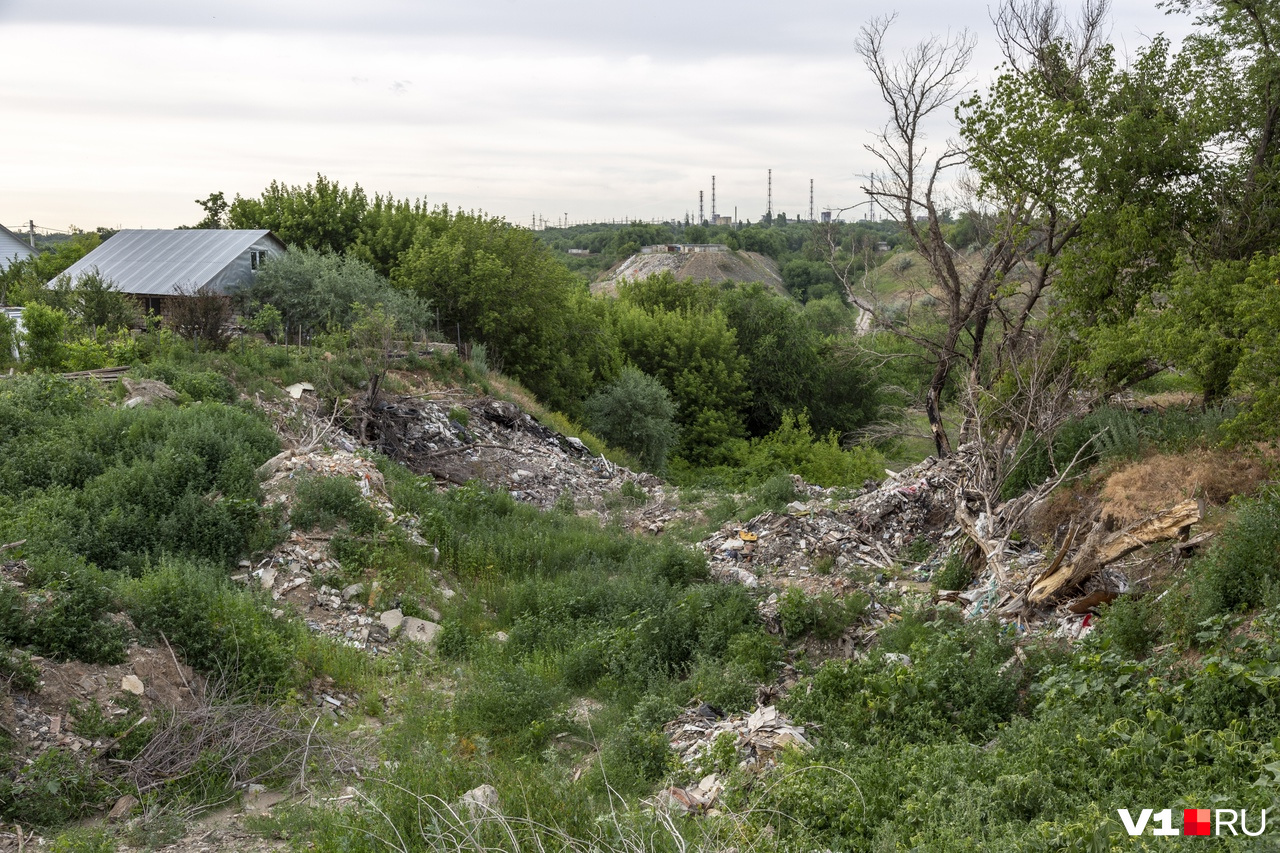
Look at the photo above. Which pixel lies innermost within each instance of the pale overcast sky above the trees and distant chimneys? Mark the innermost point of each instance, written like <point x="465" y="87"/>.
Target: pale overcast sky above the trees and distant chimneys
<point x="124" y="113"/>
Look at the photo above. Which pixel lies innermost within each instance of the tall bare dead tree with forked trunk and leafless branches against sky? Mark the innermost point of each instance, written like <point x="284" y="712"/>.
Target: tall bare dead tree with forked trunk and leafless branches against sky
<point x="986" y="299"/>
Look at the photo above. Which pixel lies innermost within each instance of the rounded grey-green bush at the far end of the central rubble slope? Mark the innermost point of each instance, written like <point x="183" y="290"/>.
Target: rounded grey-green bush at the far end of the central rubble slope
<point x="637" y="414"/>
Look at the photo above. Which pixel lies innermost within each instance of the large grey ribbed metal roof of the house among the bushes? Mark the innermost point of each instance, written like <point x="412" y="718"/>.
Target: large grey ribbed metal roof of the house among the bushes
<point x="157" y="262"/>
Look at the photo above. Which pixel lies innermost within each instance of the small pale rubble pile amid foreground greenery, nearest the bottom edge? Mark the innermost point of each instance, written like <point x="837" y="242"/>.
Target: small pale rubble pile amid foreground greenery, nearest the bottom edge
<point x="757" y="740"/>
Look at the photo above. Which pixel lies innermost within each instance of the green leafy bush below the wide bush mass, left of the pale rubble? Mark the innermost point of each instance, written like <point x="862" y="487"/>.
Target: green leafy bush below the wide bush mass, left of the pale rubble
<point x="216" y="627"/>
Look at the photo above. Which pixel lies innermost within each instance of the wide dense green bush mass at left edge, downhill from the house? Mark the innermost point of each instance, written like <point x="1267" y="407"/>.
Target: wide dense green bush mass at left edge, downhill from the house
<point x="120" y="486"/>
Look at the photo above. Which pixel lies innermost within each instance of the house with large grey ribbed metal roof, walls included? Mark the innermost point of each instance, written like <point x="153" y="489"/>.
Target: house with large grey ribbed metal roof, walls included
<point x="154" y="264"/>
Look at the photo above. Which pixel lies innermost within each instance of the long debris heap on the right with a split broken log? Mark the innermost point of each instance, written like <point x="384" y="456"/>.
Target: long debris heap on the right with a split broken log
<point x="834" y="546"/>
